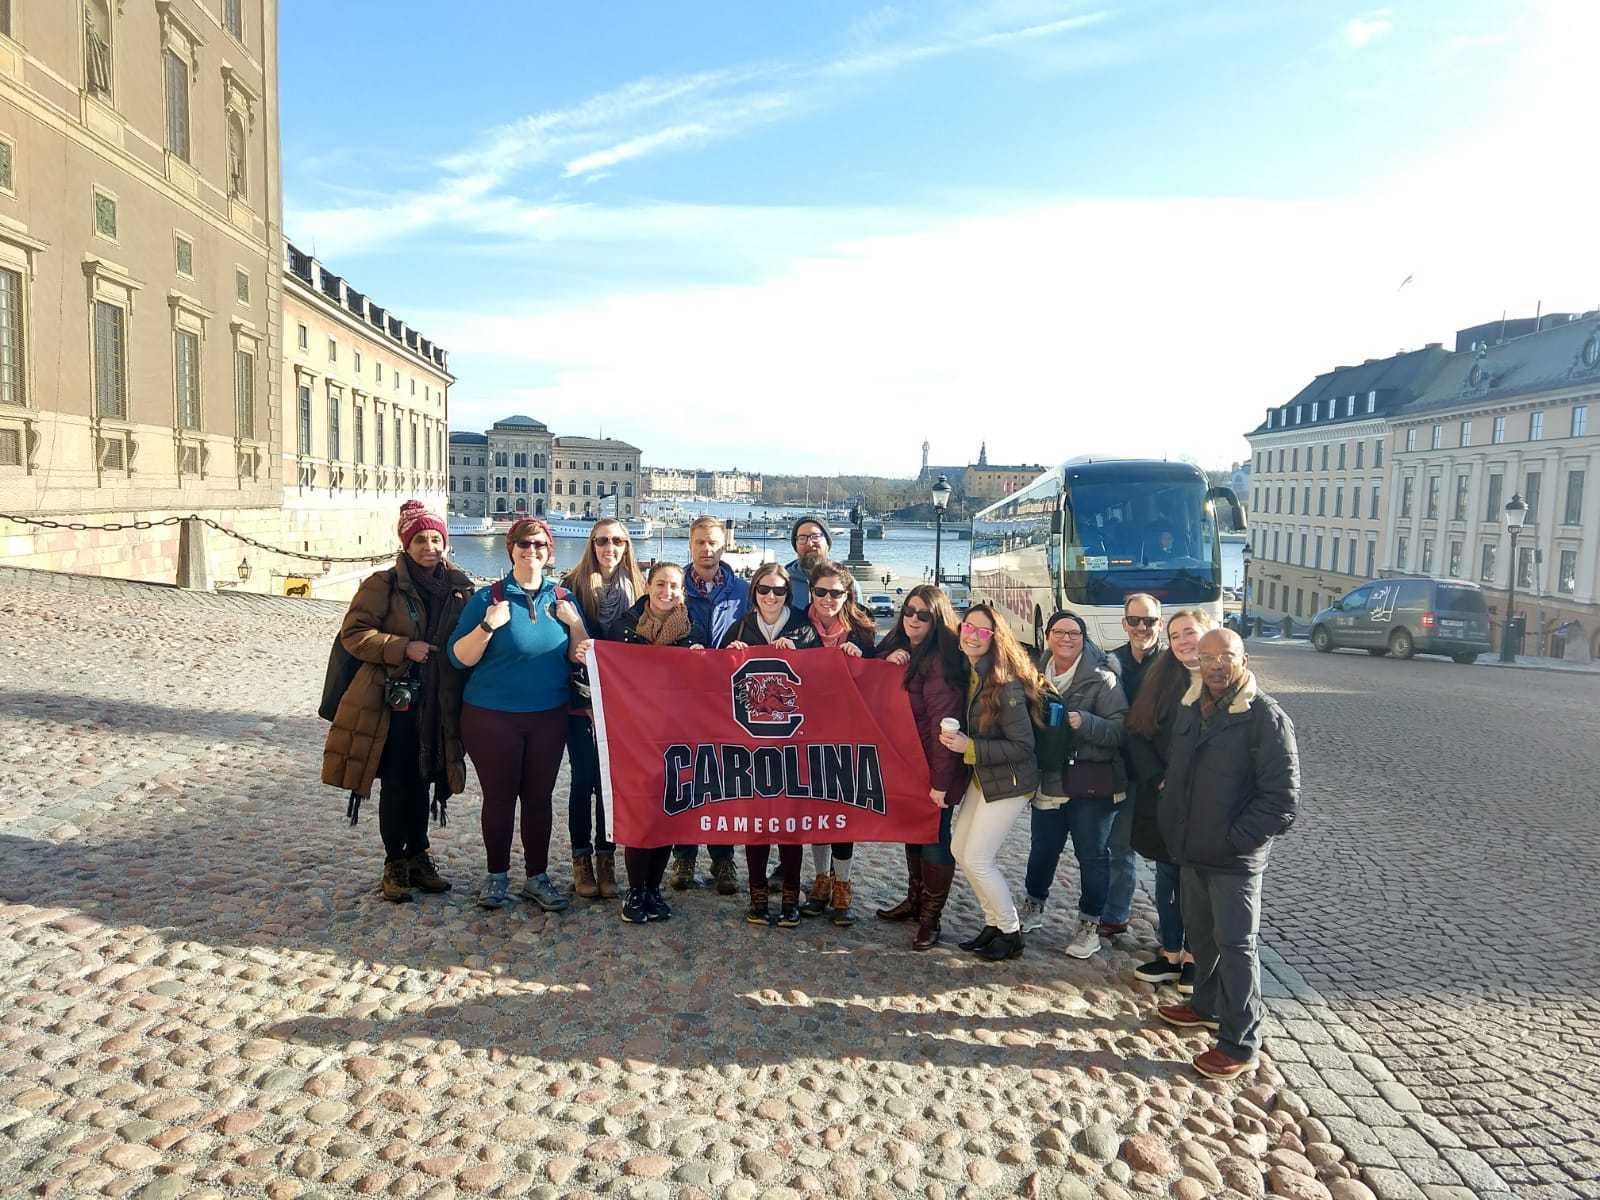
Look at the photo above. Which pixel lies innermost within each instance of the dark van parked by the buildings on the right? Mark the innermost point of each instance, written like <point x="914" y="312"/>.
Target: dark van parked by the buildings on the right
<point x="1407" y="617"/>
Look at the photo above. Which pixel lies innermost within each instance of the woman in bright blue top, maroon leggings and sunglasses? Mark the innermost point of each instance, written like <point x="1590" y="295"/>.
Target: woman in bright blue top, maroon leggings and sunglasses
<point x="516" y="638"/>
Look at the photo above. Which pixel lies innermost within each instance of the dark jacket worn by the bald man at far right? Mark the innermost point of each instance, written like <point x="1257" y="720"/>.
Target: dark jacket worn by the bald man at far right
<point x="1231" y="786"/>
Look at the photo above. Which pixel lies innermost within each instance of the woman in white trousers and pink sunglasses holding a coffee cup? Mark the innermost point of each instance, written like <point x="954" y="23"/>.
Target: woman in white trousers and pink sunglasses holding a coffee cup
<point x="1002" y="708"/>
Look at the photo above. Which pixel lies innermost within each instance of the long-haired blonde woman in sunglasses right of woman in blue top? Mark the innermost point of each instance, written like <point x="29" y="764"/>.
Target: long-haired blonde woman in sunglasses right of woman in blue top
<point x="606" y="585"/>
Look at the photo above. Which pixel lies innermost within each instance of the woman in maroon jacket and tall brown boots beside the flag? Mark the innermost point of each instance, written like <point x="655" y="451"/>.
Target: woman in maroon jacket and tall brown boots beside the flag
<point x="926" y="642"/>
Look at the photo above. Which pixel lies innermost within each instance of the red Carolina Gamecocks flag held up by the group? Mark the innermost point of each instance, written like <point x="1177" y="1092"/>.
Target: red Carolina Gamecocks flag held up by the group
<point x="756" y="746"/>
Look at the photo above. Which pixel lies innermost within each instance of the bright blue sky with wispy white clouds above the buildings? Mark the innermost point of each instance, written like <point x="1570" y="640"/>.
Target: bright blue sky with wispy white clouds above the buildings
<point x="806" y="236"/>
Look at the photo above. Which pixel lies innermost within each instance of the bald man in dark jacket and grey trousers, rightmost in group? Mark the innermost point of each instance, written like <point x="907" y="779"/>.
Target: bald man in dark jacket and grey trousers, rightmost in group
<point x="1233" y="785"/>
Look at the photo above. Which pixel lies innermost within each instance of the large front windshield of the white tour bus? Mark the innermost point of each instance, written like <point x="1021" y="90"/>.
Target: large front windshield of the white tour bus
<point x="1140" y="535"/>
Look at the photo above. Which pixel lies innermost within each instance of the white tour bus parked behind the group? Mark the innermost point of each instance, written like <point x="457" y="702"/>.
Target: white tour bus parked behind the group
<point x="1092" y="532"/>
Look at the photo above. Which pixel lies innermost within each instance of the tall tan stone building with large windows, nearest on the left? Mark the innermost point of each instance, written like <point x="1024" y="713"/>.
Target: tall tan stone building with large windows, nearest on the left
<point x="140" y="276"/>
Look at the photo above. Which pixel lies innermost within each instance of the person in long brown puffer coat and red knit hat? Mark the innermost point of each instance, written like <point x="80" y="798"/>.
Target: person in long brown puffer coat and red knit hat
<point x="398" y="626"/>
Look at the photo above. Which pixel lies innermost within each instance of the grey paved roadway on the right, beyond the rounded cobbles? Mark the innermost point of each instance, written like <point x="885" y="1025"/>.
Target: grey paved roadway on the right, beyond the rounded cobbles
<point x="1436" y="916"/>
